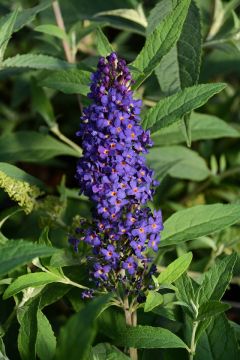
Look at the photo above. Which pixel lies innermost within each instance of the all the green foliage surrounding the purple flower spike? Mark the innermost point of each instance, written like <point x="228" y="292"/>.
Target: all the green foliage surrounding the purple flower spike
<point x="185" y="58"/>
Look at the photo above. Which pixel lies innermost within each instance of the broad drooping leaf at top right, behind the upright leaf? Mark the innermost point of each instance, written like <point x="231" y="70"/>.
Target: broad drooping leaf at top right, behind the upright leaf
<point x="181" y="66"/>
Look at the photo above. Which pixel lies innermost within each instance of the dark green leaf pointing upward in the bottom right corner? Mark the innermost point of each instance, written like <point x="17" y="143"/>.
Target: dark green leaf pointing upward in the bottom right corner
<point x="218" y="342"/>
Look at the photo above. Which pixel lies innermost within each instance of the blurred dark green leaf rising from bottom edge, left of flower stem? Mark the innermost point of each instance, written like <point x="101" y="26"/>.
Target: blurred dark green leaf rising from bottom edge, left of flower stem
<point x="78" y="334"/>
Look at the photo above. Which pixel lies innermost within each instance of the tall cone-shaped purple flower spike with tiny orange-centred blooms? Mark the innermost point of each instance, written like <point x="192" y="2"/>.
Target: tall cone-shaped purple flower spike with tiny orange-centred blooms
<point x="113" y="174"/>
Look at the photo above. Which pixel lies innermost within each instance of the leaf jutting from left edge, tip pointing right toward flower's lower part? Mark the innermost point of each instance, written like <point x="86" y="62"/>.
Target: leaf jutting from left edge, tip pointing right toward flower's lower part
<point x="15" y="253"/>
